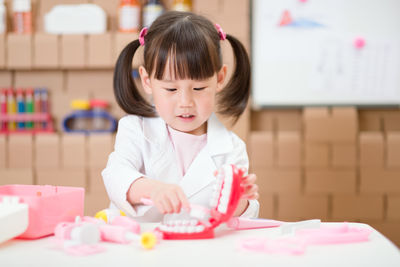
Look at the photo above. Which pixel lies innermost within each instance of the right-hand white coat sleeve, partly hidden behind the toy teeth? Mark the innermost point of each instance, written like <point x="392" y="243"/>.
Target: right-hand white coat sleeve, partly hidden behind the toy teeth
<point x="239" y="158"/>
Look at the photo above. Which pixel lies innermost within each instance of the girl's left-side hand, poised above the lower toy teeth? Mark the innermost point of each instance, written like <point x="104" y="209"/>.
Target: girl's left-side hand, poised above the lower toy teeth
<point x="169" y="198"/>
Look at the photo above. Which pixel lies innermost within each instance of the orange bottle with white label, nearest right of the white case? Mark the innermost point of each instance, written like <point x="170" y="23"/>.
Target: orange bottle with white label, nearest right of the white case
<point x="129" y="16"/>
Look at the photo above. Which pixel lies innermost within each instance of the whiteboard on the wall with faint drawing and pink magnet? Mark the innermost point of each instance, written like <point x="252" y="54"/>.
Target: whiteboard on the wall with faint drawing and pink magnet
<point x="305" y="52"/>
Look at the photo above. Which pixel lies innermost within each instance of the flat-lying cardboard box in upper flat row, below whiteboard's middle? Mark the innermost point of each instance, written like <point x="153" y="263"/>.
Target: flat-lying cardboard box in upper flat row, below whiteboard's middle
<point x="330" y="181"/>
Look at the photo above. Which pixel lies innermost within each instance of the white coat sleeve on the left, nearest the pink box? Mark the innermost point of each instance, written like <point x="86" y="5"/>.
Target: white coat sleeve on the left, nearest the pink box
<point x="124" y="164"/>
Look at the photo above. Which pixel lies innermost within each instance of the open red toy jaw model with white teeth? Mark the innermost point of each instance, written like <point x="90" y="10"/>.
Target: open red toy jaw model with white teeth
<point x="223" y="204"/>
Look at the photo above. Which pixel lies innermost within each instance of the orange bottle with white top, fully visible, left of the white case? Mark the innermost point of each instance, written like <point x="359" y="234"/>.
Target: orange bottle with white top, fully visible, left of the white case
<point x="22" y="16"/>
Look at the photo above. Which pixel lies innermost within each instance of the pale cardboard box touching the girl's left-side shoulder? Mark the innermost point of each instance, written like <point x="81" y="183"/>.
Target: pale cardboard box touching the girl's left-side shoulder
<point x="99" y="147"/>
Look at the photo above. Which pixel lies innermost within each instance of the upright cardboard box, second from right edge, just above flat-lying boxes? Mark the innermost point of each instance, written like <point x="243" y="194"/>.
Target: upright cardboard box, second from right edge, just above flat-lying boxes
<point x="371" y="145"/>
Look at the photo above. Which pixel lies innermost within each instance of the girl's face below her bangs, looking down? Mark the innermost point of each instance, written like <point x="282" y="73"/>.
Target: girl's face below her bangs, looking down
<point x="185" y="105"/>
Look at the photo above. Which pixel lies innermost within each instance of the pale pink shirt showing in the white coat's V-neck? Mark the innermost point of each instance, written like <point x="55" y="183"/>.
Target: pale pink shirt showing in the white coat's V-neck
<point x="186" y="146"/>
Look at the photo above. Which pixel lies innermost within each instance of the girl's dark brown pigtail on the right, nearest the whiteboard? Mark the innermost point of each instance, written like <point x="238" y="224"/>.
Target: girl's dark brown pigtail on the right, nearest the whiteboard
<point x="235" y="96"/>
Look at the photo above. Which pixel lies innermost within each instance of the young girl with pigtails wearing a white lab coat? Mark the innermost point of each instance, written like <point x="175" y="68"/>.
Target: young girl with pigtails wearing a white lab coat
<point x="168" y="151"/>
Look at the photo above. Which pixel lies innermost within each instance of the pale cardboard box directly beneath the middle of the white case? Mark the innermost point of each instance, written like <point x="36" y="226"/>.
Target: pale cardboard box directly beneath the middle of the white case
<point x="73" y="51"/>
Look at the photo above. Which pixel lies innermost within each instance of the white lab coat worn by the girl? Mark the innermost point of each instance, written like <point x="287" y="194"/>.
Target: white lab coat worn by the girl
<point x="143" y="148"/>
